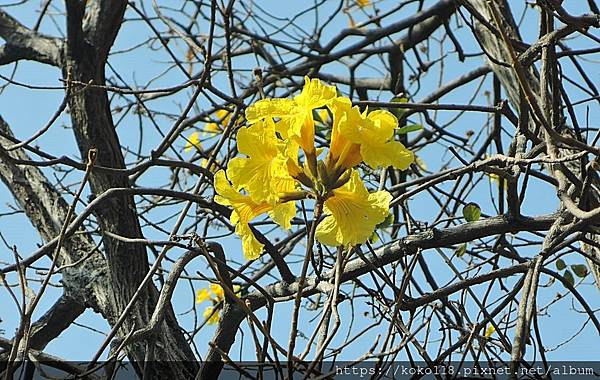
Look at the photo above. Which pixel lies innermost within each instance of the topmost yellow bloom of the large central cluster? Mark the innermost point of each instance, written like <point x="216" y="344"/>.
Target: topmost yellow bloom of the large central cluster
<point x="296" y="119"/>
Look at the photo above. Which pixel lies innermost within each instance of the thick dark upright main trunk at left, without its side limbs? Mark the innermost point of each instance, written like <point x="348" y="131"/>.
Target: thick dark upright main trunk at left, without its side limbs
<point x="88" y="43"/>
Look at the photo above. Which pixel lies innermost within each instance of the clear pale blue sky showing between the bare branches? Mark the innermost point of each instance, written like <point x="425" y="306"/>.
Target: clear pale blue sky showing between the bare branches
<point x="26" y="111"/>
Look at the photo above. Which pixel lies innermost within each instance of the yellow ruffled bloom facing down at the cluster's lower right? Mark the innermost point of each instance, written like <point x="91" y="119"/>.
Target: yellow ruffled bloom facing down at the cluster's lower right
<point x="352" y="214"/>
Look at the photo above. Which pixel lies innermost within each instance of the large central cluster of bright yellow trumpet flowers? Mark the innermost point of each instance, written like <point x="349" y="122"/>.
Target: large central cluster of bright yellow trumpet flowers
<point x="282" y="166"/>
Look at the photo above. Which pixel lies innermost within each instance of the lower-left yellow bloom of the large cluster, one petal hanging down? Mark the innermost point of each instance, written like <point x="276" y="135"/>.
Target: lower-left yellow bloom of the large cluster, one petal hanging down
<point x="244" y="210"/>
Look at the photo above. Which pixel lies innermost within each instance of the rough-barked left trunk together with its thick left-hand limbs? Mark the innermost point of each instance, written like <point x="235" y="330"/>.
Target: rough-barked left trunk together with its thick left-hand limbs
<point x="104" y="284"/>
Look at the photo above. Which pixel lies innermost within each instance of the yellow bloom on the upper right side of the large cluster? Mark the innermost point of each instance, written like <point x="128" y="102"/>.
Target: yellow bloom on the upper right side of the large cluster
<point x="373" y="131"/>
